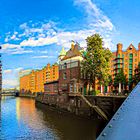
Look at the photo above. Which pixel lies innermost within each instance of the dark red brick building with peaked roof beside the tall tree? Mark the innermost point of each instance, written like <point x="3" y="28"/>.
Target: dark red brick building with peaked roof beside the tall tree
<point x="70" y="71"/>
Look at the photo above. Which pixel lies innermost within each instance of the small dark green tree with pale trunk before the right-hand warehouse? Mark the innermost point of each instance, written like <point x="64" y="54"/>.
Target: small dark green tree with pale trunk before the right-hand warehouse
<point x="120" y="79"/>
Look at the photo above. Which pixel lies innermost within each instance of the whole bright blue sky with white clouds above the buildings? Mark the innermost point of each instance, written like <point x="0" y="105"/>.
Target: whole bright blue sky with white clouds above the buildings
<point x="32" y="32"/>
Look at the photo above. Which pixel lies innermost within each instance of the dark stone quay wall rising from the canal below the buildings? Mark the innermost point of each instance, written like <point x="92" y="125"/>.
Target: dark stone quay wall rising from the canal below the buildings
<point x="77" y="106"/>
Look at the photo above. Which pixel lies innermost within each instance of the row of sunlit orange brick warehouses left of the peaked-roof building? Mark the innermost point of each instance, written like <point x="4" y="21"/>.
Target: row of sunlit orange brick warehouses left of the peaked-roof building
<point x="34" y="81"/>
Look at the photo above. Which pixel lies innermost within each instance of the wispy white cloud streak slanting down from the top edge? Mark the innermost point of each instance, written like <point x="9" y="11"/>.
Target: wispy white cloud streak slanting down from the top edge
<point x="97" y="21"/>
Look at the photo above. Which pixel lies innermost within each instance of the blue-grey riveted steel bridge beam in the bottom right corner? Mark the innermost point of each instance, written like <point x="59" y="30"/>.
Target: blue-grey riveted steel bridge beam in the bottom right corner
<point x="126" y="121"/>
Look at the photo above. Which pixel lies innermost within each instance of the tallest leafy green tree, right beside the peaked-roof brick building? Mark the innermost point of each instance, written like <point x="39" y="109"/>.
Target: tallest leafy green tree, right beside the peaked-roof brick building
<point x="95" y="64"/>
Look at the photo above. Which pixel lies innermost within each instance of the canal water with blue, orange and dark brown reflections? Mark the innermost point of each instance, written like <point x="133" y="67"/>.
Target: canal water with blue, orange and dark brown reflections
<point x="21" y="119"/>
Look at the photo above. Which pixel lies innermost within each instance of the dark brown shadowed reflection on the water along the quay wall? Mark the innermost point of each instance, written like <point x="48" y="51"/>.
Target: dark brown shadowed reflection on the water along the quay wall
<point x="68" y="126"/>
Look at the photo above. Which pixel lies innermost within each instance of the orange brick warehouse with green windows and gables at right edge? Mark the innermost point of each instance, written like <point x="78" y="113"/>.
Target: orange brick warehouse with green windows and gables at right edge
<point x="127" y="60"/>
